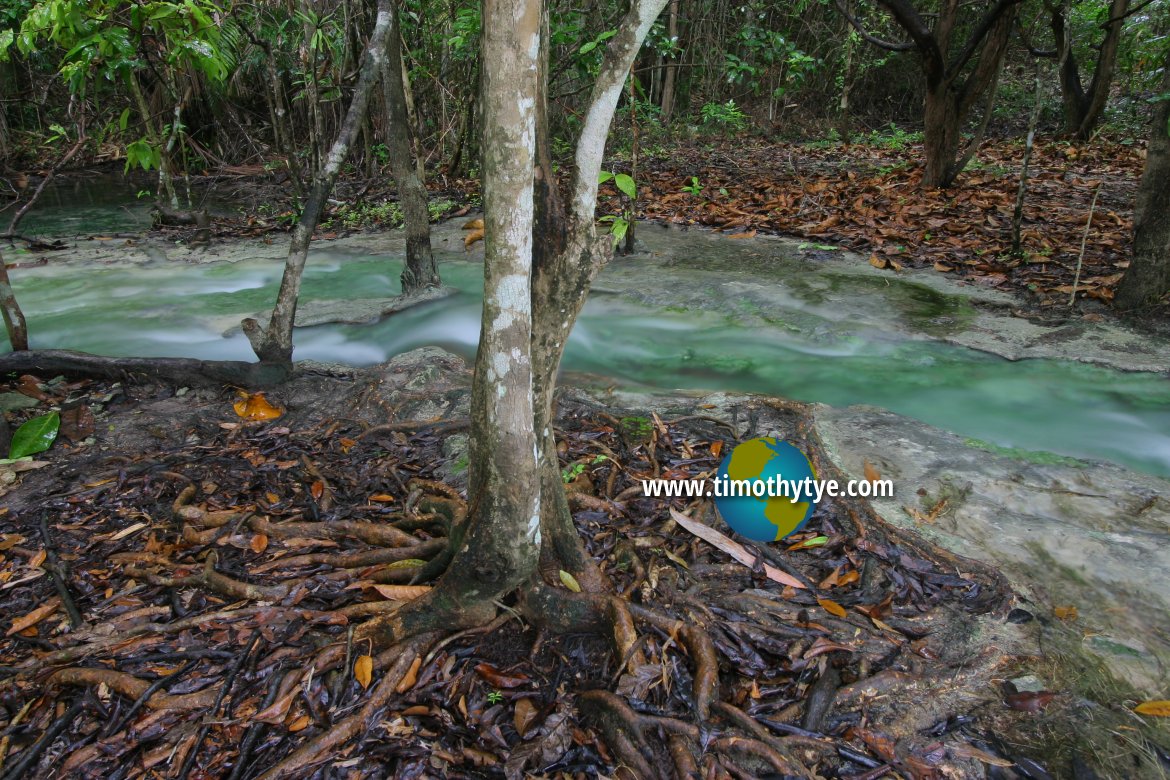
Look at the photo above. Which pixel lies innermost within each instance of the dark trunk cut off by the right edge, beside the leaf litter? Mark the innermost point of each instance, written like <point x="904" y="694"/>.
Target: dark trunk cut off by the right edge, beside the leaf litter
<point x="1148" y="278"/>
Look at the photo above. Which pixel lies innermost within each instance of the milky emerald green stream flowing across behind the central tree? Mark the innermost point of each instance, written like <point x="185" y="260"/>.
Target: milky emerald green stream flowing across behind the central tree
<point x="795" y="348"/>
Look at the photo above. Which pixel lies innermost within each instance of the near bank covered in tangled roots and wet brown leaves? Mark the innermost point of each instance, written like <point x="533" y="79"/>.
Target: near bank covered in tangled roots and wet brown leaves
<point x="175" y="575"/>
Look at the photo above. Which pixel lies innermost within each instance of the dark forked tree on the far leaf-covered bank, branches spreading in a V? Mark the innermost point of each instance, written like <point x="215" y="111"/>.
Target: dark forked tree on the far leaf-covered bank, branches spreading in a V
<point x="962" y="51"/>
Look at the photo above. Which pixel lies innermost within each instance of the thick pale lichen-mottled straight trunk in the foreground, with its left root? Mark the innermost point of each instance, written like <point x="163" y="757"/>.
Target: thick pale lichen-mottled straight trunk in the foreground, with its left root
<point x="497" y="549"/>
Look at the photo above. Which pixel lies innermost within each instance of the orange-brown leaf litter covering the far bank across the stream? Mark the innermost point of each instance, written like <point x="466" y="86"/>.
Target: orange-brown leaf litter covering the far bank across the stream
<point x="866" y="197"/>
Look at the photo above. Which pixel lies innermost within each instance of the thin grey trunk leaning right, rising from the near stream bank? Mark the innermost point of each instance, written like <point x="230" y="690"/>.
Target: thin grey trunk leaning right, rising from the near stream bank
<point x="274" y="344"/>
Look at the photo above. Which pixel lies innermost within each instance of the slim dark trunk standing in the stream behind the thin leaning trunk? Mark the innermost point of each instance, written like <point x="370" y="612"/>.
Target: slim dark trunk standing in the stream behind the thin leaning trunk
<point x="421" y="271"/>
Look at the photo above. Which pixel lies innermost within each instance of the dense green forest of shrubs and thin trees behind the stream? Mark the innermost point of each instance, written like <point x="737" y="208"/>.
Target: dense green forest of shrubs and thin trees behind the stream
<point x="198" y="86"/>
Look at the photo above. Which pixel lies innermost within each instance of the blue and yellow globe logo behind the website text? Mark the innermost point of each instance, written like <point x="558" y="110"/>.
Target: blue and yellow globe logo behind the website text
<point x="755" y="514"/>
